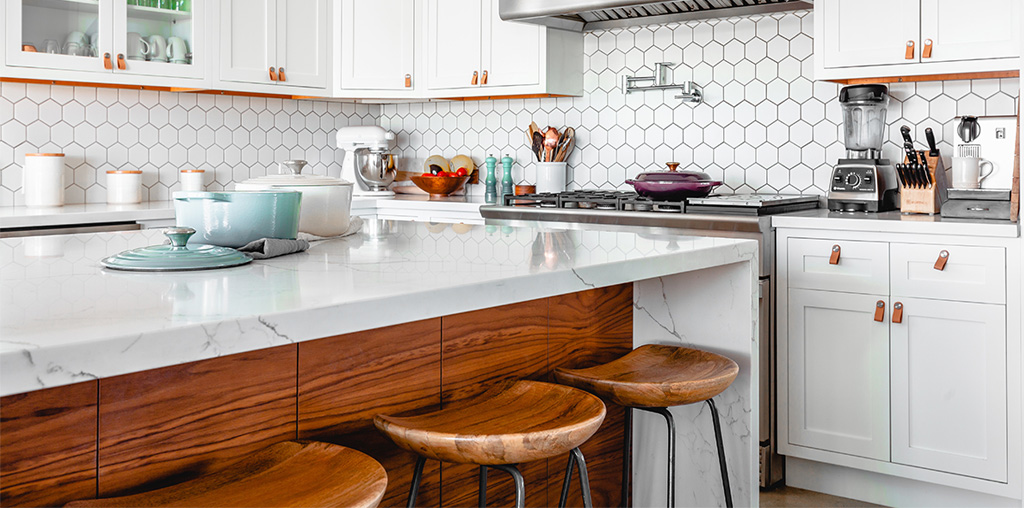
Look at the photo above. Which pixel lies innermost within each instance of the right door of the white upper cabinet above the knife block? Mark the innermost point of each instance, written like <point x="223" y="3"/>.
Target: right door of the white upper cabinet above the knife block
<point x="963" y="31"/>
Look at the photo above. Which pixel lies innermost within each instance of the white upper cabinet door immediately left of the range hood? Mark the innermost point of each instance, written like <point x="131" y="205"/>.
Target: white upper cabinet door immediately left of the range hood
<point x="511" y="51"/>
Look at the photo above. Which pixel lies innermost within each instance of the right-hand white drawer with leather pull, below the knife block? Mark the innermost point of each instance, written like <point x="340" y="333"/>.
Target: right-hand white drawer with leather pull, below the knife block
<point x="971" y="274"/>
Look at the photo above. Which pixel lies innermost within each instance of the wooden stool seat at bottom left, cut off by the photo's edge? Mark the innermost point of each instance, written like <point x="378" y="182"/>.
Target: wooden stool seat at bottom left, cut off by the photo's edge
<point x="289" y="474"/>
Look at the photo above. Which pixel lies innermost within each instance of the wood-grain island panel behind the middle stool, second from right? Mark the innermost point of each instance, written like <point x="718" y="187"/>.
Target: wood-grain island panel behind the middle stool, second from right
<point x="480" y="350"/>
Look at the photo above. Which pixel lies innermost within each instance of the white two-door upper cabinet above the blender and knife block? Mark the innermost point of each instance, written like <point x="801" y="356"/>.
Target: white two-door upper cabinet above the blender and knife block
<point x="891" y="38"/>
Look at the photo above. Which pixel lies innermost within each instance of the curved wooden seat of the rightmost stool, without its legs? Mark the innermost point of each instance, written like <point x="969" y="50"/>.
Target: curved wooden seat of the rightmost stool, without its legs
<point x="656" y="376"/>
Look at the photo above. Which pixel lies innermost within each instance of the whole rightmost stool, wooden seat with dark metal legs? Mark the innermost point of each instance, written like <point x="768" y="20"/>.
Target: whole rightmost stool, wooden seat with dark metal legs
<point x="654" y="378"/>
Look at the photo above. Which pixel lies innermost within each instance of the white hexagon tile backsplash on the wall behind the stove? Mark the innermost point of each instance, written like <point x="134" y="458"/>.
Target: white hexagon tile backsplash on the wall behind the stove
<point x="765" y="124"/>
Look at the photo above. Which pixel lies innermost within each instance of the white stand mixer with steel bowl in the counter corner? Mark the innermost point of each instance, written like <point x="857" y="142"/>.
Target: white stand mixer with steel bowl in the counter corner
<point x="367" y="160"/>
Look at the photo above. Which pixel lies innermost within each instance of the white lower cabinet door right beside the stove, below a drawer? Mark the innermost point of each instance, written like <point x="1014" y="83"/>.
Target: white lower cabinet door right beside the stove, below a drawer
<point x="839" y="373"/>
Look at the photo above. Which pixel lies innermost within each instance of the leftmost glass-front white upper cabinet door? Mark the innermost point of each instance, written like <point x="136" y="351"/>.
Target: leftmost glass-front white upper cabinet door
<point x="48" y="27"/>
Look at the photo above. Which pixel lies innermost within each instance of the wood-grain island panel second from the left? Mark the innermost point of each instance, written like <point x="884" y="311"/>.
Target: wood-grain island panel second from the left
<point x="166" y="426"/>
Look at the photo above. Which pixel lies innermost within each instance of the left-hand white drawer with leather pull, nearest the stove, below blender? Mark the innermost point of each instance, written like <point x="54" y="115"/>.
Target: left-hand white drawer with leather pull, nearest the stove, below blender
<point x="862" y="268"/>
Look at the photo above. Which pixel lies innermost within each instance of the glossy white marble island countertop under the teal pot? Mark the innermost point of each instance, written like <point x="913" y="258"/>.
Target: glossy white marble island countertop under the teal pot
<point x="65" y="319"/>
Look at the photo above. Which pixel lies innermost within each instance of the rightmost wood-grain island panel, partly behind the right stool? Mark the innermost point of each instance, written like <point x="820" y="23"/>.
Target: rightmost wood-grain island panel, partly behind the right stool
<point x="587" y="329"/>
